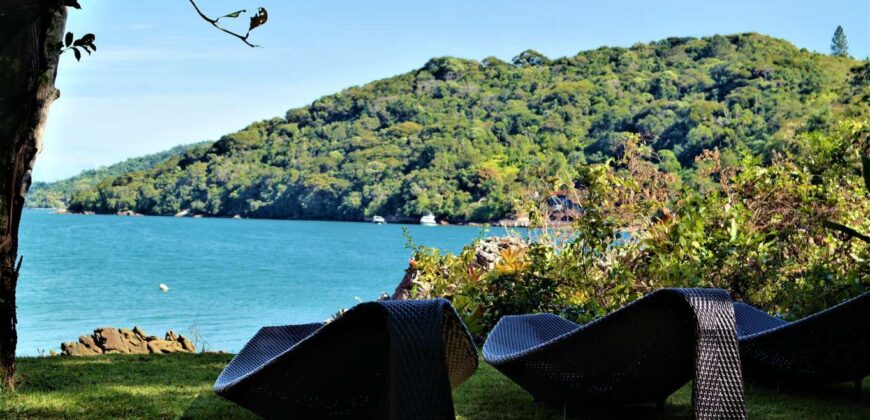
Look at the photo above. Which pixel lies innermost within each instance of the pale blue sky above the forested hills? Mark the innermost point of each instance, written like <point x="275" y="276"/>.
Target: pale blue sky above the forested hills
<point x="163" y="77"/>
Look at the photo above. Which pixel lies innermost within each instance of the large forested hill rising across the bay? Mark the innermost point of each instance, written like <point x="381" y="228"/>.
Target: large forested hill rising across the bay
<point x="462" y="138"/>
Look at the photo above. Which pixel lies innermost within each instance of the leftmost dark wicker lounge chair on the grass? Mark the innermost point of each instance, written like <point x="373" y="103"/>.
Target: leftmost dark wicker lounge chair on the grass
<point x="390" y="359"/>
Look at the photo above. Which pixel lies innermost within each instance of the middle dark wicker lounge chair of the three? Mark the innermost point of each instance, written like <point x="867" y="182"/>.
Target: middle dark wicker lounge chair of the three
<point x="638" y="354"/>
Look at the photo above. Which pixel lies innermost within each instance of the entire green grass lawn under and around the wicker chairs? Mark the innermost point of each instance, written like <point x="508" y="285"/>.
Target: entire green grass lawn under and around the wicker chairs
<point x="180" y="386"/>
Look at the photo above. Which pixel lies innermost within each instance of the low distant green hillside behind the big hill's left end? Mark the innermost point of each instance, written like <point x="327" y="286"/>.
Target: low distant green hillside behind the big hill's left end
<point x="57" y="194"/>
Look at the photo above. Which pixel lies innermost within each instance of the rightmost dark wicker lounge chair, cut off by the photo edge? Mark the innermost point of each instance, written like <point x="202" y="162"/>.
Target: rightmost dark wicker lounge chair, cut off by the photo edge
<point x="827" y="347"/>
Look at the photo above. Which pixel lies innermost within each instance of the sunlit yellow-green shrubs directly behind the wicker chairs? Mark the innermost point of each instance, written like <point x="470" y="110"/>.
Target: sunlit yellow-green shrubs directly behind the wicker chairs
<point x="759" y="231"/>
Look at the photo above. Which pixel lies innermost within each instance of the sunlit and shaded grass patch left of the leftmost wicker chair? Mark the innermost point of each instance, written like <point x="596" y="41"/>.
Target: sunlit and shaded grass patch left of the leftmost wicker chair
<point x="113" y="386"/>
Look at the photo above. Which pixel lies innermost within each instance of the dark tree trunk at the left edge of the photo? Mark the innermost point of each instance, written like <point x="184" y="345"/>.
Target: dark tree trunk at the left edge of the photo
<point x="29" y="33"/>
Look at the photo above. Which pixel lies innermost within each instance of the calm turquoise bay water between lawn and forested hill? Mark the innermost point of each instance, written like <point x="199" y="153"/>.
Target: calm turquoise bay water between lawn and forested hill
<point x="226" y="277"/>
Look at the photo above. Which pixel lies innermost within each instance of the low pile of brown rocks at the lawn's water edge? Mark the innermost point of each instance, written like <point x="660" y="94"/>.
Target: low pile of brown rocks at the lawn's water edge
<point x="110" y="340"/>
